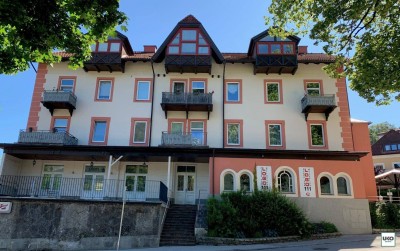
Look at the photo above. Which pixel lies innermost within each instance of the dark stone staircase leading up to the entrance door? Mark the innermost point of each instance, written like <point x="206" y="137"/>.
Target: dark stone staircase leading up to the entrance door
<point x="178" y="227"/>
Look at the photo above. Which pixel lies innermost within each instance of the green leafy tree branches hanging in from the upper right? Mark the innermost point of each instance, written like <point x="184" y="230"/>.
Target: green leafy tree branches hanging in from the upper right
<point x="370" y="27"/>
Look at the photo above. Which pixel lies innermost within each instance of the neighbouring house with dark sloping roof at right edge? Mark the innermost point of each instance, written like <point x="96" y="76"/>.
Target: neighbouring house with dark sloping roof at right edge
<point x="386" y="151"/>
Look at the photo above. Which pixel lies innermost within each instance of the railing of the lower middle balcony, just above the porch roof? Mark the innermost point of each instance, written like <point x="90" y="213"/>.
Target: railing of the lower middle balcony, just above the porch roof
<point x="190" y="139"/>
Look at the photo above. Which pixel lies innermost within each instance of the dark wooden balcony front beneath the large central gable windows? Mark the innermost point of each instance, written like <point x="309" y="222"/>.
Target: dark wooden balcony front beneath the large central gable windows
<point x="188" y="63"/>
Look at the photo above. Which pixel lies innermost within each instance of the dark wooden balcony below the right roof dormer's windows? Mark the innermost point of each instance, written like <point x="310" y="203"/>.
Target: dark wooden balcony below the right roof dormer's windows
<point x="286" y="64"/>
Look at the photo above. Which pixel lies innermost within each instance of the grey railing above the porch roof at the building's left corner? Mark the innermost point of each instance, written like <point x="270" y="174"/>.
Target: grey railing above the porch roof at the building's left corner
<point x="46" y="137"/>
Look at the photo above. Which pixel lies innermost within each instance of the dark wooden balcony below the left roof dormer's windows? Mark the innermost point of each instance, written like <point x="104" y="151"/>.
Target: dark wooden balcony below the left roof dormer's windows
<point x="105" y="61"/>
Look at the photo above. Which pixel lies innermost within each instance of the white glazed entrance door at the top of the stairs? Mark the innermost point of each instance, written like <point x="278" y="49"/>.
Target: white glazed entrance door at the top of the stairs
<point x="185" y="185"/>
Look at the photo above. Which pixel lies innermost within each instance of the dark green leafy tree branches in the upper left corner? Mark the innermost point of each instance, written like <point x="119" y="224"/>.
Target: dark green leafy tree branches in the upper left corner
<point x="31" y="30"/>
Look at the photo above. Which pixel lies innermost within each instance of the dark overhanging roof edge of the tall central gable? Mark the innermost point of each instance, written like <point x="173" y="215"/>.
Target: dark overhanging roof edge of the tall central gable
<point x="188" y="22"/>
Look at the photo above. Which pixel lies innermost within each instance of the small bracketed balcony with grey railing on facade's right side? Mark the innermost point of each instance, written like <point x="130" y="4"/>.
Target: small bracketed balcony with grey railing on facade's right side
<point x="318" y="104"/>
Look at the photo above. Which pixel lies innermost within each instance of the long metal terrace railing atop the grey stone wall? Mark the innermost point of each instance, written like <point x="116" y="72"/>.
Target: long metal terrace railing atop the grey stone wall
<point x="58" y="187"/>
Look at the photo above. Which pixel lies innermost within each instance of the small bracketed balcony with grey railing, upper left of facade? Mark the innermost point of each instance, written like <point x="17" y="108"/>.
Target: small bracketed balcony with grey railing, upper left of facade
<point x="59" y="100"/>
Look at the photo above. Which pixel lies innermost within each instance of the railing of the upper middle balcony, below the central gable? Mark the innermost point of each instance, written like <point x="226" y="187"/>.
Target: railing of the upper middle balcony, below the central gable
<point x="187" y="98"/>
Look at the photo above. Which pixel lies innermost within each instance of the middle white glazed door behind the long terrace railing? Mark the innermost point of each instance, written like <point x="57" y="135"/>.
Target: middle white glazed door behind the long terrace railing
<point x="93" y="182"/>
